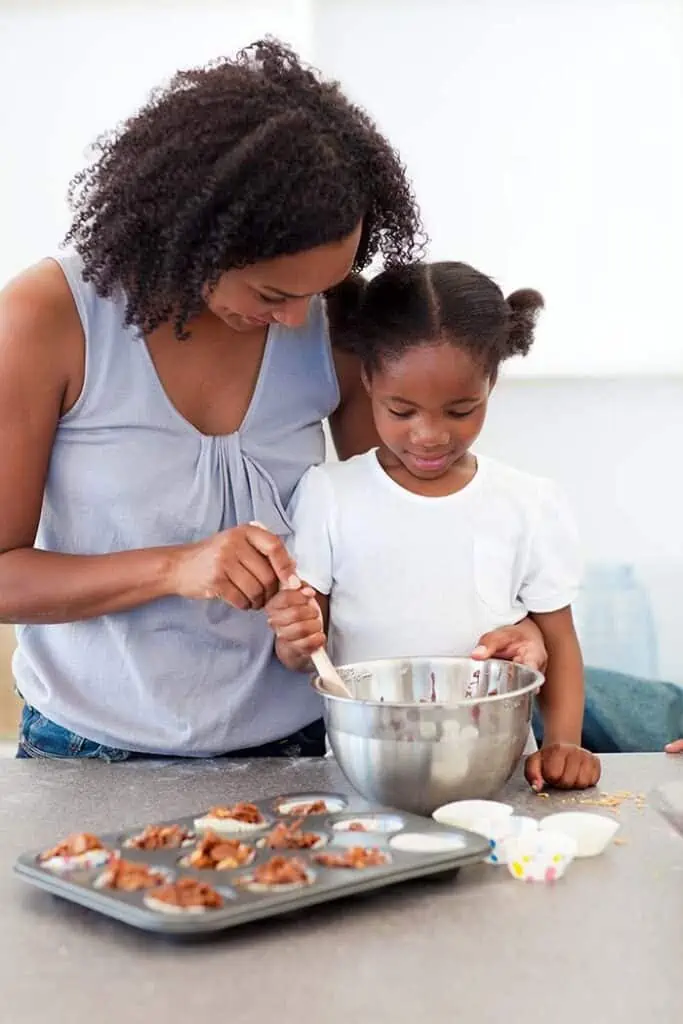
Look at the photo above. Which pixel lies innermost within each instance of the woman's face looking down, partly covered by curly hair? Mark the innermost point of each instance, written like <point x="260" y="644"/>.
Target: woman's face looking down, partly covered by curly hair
<point x="279" y="291"/>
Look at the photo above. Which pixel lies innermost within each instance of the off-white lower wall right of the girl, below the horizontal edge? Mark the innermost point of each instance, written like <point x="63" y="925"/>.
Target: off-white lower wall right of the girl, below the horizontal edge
<point x="615" y="447"/>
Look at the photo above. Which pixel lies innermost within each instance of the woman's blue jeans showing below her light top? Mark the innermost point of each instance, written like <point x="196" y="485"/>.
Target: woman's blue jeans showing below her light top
<point x="39" y="738"/>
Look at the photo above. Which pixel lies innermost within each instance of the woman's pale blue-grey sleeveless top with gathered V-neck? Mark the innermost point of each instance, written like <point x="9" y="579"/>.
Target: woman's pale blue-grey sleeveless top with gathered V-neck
<point x="129" y="472"/>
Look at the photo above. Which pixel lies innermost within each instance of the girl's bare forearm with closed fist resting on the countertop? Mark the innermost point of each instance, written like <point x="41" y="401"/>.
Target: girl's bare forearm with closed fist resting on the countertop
<point x="562" y="762"/>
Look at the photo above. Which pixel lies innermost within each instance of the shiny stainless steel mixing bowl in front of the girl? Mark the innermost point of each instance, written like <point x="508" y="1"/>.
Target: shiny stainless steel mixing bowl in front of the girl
<point x="422" y="732"/>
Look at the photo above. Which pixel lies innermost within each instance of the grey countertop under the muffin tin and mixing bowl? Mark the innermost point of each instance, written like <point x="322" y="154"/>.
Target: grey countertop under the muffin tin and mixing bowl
<point x="606" y="945"/>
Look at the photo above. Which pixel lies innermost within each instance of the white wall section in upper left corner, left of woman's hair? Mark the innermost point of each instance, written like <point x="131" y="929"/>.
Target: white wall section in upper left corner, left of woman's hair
<point x="71" y="70"/>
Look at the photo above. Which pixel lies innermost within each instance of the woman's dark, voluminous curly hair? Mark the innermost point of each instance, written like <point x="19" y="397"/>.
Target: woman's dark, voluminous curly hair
<point x="241" y="161"/>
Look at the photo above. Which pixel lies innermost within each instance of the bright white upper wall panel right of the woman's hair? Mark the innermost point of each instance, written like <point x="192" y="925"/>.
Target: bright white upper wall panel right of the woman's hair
<point x="545" y="141"/>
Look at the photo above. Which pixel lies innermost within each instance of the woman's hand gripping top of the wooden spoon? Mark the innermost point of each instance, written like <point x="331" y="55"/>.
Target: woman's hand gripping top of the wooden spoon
<point x="243" y="567"/>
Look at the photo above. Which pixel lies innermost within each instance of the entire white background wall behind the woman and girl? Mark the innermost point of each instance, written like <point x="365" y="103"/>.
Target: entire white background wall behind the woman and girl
<point x="545" y="140"/>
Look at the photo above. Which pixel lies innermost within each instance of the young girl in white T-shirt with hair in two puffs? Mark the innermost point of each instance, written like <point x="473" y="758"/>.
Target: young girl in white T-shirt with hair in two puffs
<point x="420" y="546"/>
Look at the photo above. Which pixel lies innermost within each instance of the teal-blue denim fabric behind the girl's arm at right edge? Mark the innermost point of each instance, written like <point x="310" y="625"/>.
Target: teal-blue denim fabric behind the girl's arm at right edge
<point x="627" y="715"/>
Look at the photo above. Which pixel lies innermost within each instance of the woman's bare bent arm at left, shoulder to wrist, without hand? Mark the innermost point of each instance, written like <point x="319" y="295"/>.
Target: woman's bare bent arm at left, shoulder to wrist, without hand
<point x="41" y="375"/>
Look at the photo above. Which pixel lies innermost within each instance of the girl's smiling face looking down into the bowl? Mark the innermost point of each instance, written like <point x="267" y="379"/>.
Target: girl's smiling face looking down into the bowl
<point x="430" y="407"/>
